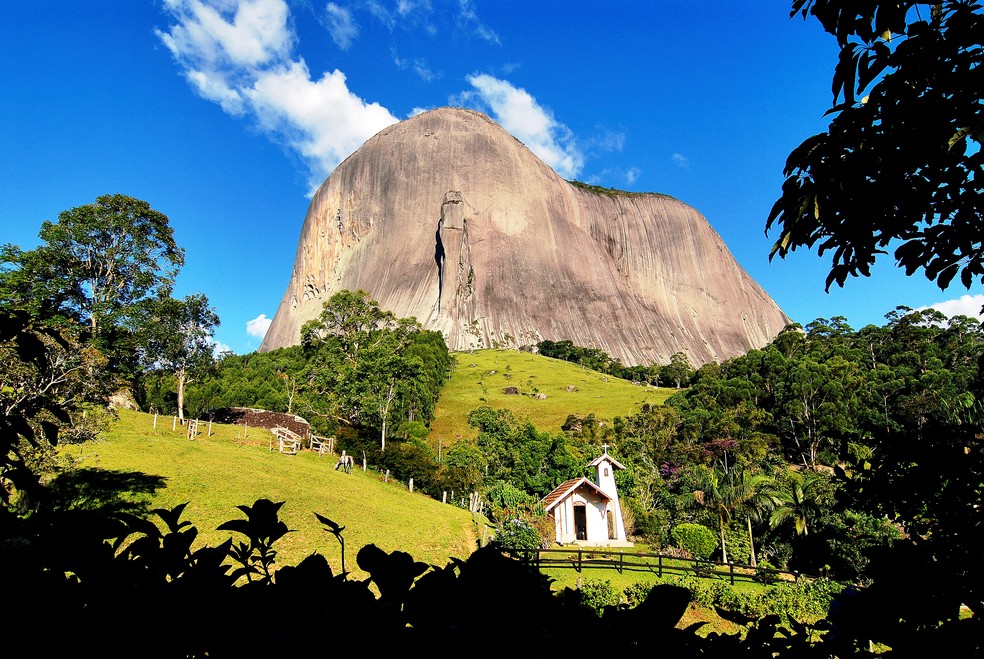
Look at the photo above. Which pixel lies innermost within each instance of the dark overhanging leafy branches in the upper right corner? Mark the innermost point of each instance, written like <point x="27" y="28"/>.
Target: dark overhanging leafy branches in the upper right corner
<point x="900" y="166"/>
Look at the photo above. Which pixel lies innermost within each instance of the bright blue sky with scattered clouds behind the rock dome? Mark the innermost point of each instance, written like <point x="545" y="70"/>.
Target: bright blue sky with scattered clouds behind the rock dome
<point x="226" y="114"/>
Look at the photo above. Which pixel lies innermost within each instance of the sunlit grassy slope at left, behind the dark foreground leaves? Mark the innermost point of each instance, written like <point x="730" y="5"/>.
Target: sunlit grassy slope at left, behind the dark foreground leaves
<point x="219" y="472"/>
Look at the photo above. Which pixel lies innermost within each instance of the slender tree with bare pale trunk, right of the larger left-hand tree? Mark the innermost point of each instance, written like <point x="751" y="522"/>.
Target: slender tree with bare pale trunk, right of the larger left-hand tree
<point x="178" y="339"/>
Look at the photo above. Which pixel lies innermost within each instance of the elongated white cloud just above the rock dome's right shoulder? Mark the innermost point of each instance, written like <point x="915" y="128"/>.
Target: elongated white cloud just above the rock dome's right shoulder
<point x="519" y="113"/>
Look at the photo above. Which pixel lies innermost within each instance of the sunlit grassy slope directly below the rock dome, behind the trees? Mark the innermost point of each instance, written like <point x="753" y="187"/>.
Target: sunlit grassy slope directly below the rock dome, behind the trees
<point x="480" y="378"/>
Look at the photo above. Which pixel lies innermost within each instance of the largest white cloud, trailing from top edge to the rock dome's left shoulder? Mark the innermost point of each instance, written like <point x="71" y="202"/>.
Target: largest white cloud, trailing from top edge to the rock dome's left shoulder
<point x="239" y="54"/>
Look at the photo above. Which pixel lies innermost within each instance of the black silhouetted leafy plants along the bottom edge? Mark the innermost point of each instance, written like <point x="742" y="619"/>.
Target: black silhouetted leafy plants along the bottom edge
<point x="119" y="578"/>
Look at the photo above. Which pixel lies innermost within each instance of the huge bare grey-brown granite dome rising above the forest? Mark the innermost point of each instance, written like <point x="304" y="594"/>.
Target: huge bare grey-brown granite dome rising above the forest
<point x="447" y="218"/>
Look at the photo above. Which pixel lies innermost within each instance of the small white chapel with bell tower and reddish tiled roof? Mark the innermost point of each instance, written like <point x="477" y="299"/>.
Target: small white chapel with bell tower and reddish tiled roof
<point x="586" y="512"/>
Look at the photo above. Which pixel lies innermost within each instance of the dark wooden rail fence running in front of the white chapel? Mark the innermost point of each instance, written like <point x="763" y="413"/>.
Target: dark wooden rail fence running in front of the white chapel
<point x="578" y="558"/>
